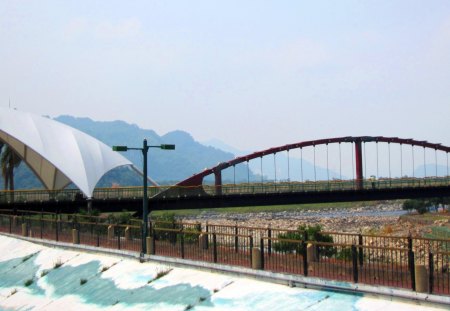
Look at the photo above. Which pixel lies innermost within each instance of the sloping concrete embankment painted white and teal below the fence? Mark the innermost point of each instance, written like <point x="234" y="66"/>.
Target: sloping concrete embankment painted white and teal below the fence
<point x="38" y="277"/>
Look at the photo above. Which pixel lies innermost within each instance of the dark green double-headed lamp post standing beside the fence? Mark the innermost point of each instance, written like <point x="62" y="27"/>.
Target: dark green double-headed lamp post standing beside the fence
<point x="144" y="150"/>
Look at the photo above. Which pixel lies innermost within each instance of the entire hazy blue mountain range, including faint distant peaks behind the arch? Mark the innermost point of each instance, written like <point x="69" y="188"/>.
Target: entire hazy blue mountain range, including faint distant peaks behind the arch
<point x="189" y="157"/>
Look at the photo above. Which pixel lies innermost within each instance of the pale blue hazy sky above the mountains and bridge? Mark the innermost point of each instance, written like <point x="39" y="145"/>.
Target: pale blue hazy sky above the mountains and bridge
<point x="253" y="74"/>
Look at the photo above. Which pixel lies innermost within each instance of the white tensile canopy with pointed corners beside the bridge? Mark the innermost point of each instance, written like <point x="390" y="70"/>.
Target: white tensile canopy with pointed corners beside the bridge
<point x="58" y="154"/>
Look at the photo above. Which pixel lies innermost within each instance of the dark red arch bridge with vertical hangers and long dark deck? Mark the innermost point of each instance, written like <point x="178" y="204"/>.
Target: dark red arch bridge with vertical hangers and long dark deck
<point x="326" y="170"/>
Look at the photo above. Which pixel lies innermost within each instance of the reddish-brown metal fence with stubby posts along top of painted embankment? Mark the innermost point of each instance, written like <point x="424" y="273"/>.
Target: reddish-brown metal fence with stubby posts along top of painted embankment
<point x="408" y="262"/>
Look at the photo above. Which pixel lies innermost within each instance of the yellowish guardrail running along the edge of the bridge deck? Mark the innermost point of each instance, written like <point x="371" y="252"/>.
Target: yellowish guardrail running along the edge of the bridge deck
<point x="23" y="196"/>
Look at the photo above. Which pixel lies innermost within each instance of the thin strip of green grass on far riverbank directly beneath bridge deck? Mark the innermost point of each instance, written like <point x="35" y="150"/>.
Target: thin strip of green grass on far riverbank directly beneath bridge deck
<point x="271" y="208"/>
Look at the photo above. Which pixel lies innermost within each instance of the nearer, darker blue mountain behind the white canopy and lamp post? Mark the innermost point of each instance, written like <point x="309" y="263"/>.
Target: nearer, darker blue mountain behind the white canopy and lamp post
<point x="164" y="166"/>
